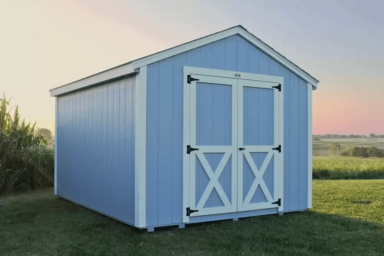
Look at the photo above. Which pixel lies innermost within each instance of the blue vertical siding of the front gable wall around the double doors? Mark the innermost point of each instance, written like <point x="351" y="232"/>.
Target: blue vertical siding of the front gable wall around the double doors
<point x="164" y="126"/>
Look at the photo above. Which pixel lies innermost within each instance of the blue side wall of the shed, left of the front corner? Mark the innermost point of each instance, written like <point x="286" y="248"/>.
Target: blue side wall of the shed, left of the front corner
<point x="95" y="144"/>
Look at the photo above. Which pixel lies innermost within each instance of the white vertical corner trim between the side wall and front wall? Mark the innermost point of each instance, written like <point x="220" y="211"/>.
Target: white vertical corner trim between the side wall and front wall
<point x="140" y="147"/>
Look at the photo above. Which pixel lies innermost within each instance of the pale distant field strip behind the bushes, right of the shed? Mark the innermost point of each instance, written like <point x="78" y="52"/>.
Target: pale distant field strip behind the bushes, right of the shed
<point x="321" y="147"/>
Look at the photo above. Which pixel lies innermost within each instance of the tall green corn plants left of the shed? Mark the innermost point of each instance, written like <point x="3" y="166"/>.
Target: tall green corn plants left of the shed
<point x="17" y="163"/>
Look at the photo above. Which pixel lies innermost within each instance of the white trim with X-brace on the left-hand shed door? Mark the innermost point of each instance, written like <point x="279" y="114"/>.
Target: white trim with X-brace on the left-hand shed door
<point x="229" y="151"/>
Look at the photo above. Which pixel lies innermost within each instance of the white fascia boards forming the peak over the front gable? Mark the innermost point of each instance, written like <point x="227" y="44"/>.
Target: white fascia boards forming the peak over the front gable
<point x="215" y="37"/>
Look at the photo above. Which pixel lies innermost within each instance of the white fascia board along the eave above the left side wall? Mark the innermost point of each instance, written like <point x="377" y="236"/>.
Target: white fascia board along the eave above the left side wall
<point x="94" y="79"/>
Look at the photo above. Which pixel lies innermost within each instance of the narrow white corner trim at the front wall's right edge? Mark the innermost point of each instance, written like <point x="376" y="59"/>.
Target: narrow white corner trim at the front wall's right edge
<point x="309" y="145"/>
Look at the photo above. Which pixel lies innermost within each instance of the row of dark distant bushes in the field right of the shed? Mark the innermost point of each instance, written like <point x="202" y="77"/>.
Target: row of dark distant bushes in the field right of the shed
<point x="336" y="149"/>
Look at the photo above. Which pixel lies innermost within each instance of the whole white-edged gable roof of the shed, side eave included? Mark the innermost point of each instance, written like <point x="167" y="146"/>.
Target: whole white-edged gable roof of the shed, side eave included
<point x="133" y="67"/>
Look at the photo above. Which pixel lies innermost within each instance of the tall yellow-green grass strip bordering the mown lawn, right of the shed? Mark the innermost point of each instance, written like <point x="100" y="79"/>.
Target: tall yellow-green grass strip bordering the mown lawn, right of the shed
<point x="340" y="167"/>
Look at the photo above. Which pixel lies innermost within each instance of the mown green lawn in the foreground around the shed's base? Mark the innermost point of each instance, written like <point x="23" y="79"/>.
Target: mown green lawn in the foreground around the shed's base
<point x="347" y="219"/>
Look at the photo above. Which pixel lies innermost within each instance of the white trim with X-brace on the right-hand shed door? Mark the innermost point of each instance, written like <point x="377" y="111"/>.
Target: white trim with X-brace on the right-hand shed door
<point x="244" y="204"/>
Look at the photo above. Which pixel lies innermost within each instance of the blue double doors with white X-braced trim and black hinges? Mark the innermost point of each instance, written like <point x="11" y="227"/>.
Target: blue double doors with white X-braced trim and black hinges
<point x="233" y="131"/>
